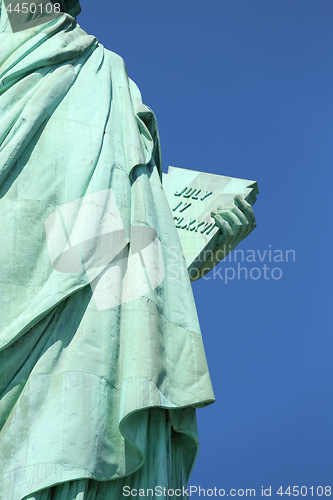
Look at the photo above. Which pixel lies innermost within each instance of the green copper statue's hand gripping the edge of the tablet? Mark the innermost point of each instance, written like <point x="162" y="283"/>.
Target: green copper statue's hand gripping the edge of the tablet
<point x="235" y="222"/>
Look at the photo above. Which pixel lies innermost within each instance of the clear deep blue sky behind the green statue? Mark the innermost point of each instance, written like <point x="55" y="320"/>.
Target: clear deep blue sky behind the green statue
<point x="244" y="88"/>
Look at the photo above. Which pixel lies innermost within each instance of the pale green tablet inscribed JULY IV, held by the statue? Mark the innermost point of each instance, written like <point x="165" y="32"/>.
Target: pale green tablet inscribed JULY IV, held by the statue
<point x="192" y="195"/>
